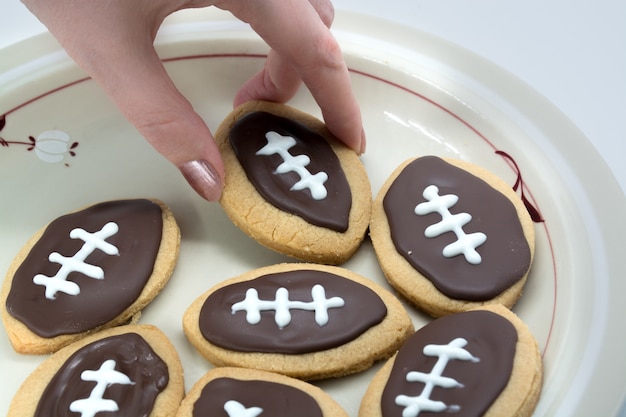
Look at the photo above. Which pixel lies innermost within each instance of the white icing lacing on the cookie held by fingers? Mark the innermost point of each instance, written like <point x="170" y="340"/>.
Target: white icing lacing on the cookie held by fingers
<point x="277" y="143"/>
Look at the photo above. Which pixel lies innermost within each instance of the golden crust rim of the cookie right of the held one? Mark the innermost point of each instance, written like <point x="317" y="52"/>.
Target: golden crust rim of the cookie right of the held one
<point x="409" y="282"/>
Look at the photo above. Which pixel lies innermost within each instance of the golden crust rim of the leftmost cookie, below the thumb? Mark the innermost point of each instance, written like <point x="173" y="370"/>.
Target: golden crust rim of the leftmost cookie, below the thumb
<point x="25" y="341"/>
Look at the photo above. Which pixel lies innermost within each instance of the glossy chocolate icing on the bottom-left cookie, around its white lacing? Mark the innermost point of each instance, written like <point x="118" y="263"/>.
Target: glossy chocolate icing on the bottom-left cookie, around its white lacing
<point x="133" y="357"/>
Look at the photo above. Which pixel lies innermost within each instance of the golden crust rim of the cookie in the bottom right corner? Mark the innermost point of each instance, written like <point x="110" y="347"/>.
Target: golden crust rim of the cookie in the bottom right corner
<point x="518" y="399"/>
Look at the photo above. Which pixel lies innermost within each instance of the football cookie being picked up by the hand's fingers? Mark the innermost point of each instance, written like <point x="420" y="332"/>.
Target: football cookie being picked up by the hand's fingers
<point x="292" y="186"/>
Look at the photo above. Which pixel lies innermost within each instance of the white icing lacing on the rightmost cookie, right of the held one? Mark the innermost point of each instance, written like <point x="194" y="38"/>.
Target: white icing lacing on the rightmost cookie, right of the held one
<point x="465" y="244"/>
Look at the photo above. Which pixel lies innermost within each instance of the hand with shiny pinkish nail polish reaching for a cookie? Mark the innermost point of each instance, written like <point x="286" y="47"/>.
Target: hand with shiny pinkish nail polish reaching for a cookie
<point x="113" y="41"/>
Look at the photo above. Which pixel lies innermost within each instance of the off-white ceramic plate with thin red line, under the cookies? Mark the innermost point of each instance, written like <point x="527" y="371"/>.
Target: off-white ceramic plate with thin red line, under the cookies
<point x="419" y="96"/>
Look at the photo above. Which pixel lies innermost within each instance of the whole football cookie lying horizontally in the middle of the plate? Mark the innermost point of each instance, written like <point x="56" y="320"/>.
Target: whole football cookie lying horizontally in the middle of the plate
<point x="307" y="321"/>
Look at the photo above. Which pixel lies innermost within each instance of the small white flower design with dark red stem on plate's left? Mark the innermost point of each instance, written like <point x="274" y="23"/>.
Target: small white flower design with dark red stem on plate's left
<point x="51" y="146"/>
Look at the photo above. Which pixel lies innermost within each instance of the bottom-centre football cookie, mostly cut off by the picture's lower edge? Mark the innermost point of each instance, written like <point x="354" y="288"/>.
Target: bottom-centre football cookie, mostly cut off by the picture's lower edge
<point x="239" y="391"/>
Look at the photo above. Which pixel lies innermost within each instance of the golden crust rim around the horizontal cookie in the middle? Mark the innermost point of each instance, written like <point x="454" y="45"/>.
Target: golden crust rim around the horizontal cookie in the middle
<point x="377" y="343"/>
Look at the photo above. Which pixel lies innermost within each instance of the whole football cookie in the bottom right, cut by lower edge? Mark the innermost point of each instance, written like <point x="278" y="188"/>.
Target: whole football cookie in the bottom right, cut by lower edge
<point x="483" y="362"/>
